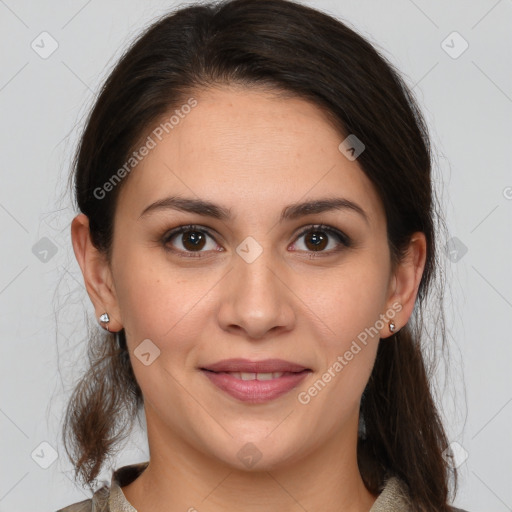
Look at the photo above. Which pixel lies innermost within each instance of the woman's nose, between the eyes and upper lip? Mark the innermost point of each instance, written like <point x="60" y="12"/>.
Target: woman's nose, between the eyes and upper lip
<point x="256" y="299"/>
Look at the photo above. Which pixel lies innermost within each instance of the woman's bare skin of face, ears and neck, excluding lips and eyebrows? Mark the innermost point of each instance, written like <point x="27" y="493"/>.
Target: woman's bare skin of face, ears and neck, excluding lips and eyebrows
<point x="254" y="153"/>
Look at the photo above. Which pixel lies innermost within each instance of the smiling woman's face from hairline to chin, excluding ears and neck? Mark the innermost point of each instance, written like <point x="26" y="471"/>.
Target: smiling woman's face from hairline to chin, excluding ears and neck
<point x="264" y="281"/>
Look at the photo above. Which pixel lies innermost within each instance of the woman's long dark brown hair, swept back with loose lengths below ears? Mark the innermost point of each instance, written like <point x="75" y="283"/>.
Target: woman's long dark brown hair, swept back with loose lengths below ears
<point x="282" y="46"/>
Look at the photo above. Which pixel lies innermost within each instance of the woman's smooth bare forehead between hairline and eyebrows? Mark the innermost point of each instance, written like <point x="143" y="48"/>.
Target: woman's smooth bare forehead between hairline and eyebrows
<point x="248" y="149"/>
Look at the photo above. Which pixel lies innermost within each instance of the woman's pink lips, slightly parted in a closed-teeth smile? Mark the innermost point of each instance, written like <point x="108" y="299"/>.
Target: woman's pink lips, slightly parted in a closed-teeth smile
<point x="255" y="381"/>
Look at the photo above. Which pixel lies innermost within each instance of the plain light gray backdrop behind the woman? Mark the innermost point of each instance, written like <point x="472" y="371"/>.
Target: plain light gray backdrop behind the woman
<point x="467" y="100"/>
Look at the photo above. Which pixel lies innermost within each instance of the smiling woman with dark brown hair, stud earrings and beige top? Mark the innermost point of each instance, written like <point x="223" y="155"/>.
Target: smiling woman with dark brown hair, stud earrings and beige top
<point x="257" y="236"/>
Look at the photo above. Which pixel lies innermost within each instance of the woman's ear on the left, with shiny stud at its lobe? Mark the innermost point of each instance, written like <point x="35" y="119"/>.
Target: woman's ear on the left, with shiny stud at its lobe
<point x="96" y="272"/>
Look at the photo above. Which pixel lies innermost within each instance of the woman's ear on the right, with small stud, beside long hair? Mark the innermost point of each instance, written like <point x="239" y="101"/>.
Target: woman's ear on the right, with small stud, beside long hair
<point x="404" y="284"/>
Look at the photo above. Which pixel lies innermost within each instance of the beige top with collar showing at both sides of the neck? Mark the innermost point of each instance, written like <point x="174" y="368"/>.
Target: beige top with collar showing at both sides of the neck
<point x="393" y="497"/>
